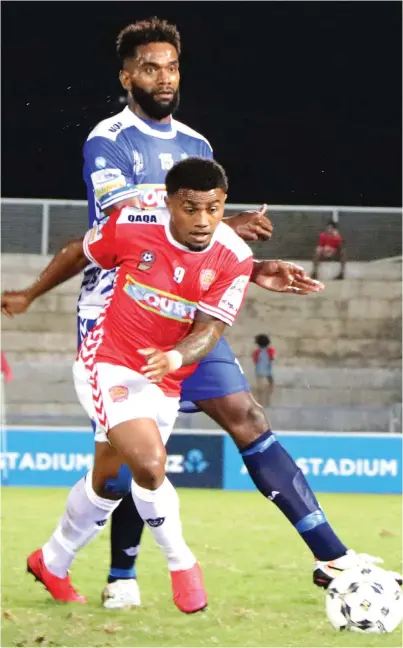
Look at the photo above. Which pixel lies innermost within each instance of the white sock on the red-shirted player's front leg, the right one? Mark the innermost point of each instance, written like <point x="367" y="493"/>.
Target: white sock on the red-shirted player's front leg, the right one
<point x="160" y="510"/>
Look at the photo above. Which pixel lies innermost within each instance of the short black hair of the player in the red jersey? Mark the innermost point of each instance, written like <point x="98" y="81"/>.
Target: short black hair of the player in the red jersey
<point x="199" y="174"/>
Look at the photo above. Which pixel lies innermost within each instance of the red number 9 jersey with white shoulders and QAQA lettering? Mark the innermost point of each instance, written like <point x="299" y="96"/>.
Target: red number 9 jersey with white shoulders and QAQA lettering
<point x="159" y="287"/>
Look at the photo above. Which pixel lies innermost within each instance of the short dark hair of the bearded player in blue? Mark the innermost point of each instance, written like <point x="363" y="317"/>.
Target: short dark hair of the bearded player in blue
<point x="143" y="32"/>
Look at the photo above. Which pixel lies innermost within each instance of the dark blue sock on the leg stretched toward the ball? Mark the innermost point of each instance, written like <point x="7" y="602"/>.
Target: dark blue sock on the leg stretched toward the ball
<point x="278" y="478"/>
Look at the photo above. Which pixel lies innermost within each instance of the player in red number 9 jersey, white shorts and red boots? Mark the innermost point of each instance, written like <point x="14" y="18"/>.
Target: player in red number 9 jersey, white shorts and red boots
<point x="182" y="277"/>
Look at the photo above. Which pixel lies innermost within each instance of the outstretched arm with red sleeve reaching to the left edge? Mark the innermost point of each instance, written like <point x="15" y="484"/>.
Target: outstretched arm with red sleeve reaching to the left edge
<point x="97" y="246"/>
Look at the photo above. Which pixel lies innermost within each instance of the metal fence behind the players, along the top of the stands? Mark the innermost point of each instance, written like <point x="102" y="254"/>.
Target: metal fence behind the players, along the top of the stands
<point x="43" y="226"/>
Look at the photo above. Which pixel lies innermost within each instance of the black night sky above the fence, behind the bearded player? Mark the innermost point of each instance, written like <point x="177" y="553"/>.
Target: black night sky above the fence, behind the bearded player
<point x="301" y="101"/>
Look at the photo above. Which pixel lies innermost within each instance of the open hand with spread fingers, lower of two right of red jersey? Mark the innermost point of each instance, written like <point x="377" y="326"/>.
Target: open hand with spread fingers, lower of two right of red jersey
<point x="285" y="277"/>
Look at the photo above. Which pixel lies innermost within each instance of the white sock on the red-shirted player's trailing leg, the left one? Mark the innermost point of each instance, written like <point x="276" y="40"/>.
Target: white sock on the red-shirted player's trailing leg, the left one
<point x="85" y="516"/>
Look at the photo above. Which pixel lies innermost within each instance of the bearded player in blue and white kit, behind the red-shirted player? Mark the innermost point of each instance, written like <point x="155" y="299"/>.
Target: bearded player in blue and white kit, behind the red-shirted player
<point x="131" y="152"/>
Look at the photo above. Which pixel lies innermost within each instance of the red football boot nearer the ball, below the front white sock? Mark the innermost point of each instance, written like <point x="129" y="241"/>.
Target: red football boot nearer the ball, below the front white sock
<point x="188" y="589"/>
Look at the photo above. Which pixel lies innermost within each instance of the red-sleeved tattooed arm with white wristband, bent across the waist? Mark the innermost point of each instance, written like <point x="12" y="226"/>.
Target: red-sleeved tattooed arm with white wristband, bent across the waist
<point x="219" y="308"/>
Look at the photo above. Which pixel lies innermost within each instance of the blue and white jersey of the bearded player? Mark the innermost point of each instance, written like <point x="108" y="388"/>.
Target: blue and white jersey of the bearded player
<point x="124" y="156"/>
